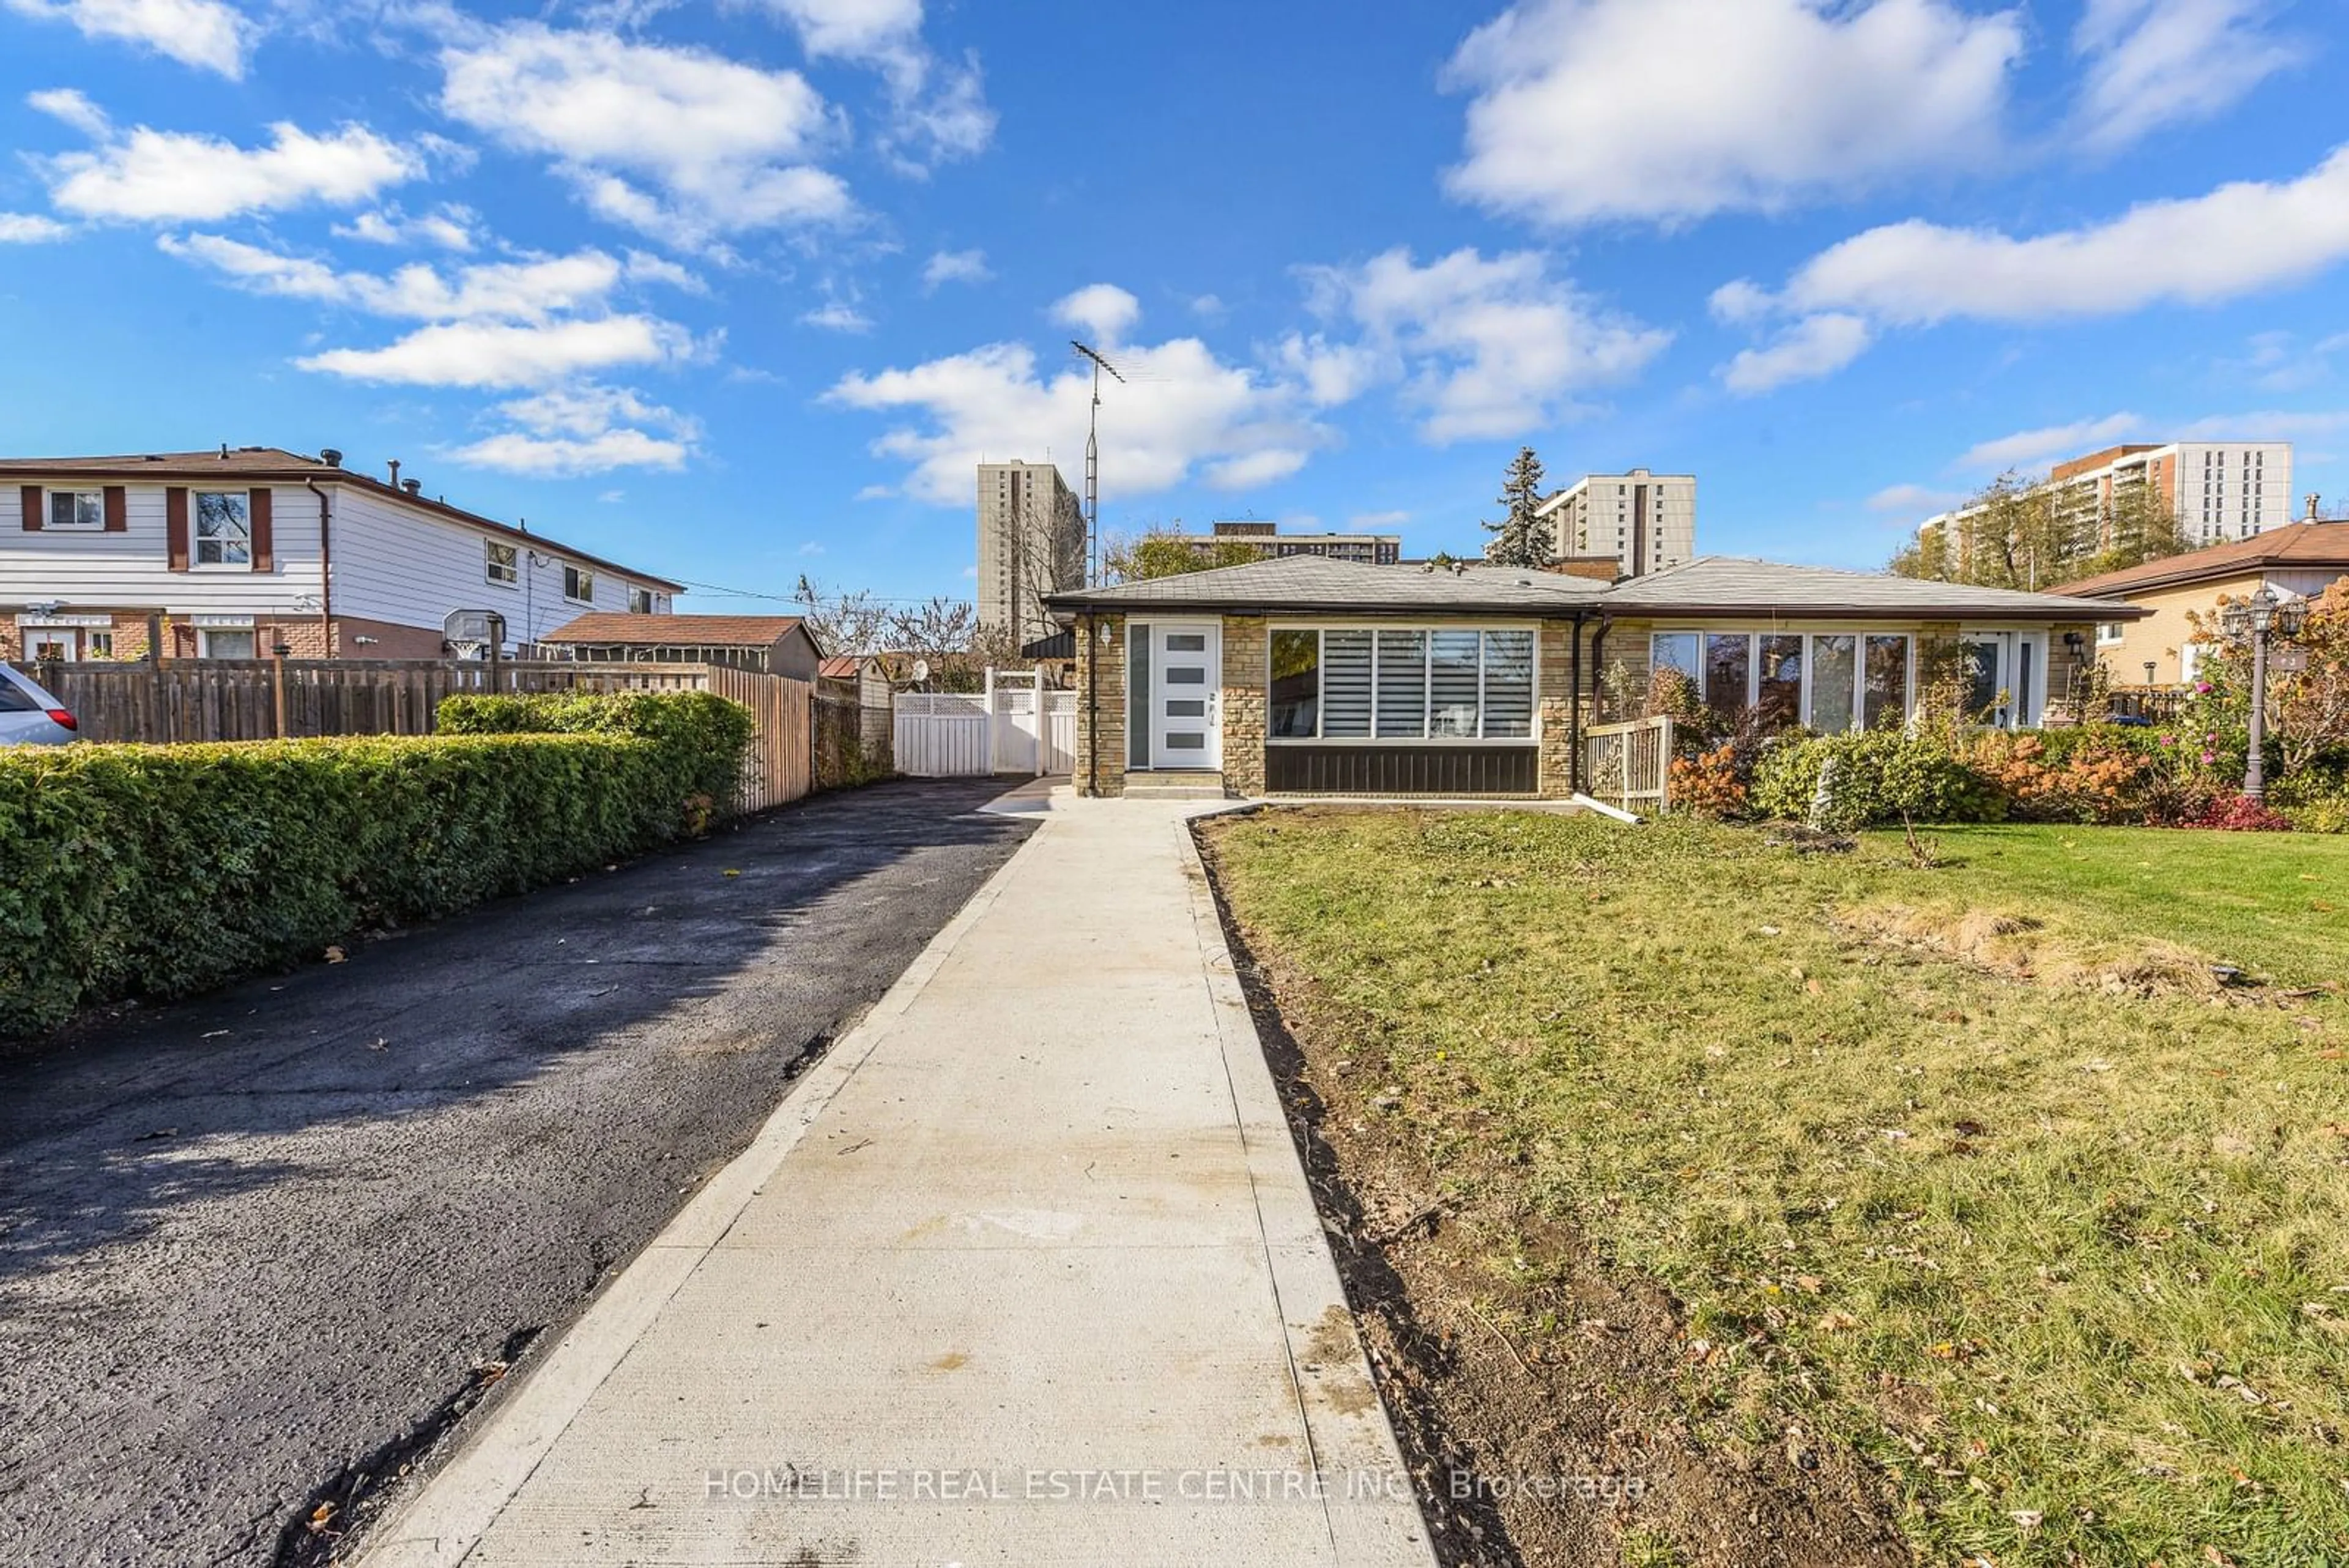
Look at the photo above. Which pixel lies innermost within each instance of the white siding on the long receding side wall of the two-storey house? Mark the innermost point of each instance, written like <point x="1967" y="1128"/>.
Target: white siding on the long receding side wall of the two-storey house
<point x="412" y="568"/>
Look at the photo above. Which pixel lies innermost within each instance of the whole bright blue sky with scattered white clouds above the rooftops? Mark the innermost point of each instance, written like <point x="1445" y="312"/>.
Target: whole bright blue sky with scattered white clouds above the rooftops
<point x="743" y="290"/>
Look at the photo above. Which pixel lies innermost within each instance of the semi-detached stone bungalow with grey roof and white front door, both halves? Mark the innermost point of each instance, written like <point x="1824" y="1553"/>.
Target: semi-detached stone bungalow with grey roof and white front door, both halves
<point x="1331" y="678"/>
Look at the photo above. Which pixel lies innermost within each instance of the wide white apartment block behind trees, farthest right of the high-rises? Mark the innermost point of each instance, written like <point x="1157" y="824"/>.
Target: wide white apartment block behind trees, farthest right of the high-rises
<point x="2216" y="490"/>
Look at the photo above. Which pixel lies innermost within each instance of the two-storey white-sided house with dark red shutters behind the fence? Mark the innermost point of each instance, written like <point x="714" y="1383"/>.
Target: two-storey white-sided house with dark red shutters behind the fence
<point x="238" y="551"/>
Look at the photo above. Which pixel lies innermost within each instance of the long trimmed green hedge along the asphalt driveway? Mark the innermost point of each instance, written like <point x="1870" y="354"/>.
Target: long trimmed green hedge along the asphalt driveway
<point x="159" y="871"/>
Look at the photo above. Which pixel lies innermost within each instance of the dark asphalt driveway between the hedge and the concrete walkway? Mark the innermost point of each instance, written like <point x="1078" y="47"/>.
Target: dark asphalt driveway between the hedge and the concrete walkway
<point x="269" y="1240"/>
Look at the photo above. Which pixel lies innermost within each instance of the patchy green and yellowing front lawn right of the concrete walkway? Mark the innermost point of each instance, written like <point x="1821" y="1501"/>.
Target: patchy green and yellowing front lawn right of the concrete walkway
<point x="1972" y="1170"/>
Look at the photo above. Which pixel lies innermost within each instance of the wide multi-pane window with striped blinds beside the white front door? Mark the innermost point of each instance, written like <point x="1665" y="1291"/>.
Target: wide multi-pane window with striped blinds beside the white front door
<point x="1401" y="685"/>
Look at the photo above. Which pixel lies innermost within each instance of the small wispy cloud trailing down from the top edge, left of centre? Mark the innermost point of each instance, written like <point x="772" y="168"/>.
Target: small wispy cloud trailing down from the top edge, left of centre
<point x="938" y="109"/>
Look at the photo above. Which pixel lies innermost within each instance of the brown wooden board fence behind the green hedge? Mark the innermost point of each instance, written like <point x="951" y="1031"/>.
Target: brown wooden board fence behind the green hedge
<point x="262" y="699"/>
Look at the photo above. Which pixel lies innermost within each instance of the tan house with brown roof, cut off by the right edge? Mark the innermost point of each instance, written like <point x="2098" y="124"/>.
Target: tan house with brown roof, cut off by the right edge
<point x="2158" y="650"/>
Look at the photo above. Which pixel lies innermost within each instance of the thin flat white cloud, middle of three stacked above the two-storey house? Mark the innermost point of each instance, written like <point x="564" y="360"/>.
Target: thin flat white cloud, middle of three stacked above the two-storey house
<point x="511" y="354"/>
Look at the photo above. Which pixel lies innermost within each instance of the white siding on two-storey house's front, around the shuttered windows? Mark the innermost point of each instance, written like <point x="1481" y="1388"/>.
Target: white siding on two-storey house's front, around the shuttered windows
<point x="133" y="570"/>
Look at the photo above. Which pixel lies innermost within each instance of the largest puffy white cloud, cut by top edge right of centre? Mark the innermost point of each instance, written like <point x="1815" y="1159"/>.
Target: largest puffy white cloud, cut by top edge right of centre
<point x="1674" y="109"/>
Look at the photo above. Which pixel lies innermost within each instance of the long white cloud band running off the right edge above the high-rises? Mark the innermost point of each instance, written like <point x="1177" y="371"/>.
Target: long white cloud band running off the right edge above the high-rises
<point x="2197" y="250"/>
